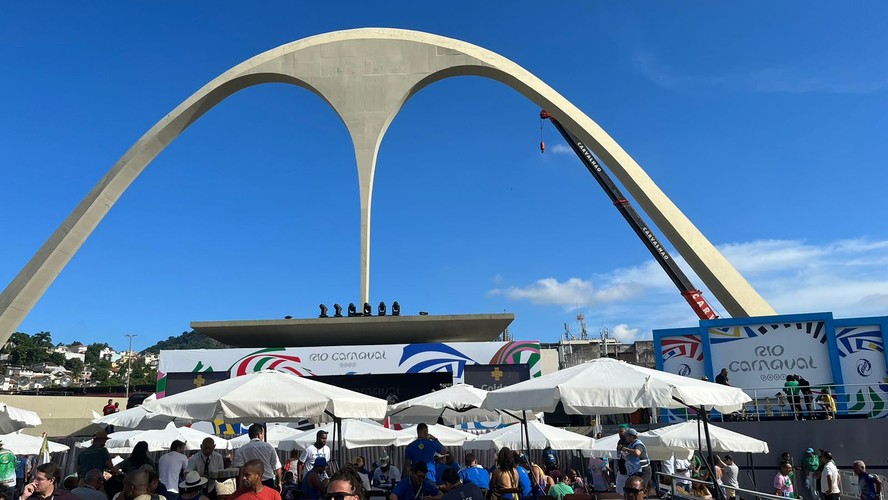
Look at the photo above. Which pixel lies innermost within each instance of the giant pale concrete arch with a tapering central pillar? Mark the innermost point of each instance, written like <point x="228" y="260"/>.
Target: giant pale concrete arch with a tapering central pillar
<point x="366" y="76"/>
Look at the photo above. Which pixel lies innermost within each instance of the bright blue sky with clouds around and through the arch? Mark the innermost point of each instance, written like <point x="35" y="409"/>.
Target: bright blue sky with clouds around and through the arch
<point x="764" y="122"/>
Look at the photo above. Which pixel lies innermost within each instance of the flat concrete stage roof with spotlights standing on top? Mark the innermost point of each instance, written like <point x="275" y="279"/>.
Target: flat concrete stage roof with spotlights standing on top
<point x="361" y="330"/>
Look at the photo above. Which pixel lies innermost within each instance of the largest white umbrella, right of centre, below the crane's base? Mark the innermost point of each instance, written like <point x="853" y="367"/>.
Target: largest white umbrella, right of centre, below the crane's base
<point x="607" y="386"/>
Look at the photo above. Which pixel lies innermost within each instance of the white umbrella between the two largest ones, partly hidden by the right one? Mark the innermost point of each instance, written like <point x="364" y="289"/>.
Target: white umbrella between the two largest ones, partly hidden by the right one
<point x="457" y="404"/>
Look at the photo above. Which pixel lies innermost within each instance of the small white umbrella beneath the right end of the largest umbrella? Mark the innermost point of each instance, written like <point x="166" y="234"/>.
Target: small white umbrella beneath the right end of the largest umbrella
<point x="688" y="436"/>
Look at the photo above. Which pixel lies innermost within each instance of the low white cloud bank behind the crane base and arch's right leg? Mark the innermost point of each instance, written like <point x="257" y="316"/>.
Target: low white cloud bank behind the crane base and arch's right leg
<point x="846" y="277"/>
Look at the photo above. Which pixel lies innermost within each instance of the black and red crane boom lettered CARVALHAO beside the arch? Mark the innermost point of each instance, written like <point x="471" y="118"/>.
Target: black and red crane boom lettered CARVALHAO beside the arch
<point x="691" y="294"/>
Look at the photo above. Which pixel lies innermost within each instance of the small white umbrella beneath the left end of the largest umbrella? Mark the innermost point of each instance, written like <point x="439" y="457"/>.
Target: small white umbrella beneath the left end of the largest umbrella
<point x="540" y="435"/>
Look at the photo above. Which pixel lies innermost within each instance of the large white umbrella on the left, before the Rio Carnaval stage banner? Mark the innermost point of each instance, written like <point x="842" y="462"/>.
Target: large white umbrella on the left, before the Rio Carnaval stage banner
<point x="268" y="396"/>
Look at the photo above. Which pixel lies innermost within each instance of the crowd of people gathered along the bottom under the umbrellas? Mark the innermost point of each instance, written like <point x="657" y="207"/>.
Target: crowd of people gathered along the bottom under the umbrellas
<point x="431" y="472"/>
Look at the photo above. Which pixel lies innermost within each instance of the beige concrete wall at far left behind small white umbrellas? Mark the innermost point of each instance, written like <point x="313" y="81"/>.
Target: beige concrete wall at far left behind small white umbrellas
<point x="62" y="415"/>
